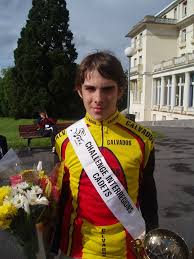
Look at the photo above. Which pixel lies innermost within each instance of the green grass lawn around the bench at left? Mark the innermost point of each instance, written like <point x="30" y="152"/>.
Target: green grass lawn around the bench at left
<point x="9" y="129"/>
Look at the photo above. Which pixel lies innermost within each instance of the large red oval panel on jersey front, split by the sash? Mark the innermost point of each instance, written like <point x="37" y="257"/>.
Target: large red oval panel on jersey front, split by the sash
<point x="92" y="207"/>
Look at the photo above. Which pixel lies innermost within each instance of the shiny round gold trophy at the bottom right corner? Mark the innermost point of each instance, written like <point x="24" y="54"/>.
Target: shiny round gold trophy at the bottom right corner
<point x="161" y="244"/>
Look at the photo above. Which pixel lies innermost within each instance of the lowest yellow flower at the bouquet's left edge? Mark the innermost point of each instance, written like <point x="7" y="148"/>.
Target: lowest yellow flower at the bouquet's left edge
<point x="7" y="213"/>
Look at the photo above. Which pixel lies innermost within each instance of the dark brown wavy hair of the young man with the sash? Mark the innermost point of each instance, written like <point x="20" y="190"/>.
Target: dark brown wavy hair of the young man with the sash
<point x="106" y="64"/>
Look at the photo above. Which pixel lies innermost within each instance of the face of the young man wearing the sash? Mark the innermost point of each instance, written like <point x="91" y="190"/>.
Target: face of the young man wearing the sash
<point x="100" y="95"/>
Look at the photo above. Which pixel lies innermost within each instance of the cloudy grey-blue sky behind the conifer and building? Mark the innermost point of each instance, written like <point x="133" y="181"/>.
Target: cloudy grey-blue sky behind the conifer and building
<point x="95" y="24"/>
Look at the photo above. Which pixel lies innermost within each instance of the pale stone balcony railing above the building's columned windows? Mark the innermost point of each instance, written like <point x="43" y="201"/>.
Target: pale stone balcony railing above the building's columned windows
<point x="174" y="62"/>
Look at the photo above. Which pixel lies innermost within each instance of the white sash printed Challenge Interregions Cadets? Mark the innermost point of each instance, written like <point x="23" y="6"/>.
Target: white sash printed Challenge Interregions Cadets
<point x="104" y="180"/>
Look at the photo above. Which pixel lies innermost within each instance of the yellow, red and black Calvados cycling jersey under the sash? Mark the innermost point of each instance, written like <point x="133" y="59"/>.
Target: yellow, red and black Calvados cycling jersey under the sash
<point x="88" y="228"/>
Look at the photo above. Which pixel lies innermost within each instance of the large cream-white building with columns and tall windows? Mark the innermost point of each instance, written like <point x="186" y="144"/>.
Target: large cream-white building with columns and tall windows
<point x="162" y="68"/>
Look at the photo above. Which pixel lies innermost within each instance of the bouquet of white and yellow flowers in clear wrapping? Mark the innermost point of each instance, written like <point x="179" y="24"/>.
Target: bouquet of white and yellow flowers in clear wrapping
<point x="22" y="206"/>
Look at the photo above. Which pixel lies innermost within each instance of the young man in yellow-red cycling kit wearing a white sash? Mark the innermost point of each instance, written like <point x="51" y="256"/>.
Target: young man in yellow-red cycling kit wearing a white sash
<point x="87" y="226"/>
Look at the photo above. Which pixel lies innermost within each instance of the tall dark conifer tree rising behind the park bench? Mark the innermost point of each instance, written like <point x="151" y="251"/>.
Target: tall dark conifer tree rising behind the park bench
<point x="45" y="65"/>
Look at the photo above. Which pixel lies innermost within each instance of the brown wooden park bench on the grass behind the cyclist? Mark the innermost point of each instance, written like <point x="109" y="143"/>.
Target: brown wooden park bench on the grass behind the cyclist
<point x="30" y="132"/>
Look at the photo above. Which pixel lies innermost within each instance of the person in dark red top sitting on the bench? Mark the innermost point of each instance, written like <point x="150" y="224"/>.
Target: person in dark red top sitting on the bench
<point x="47" y="127"/>
